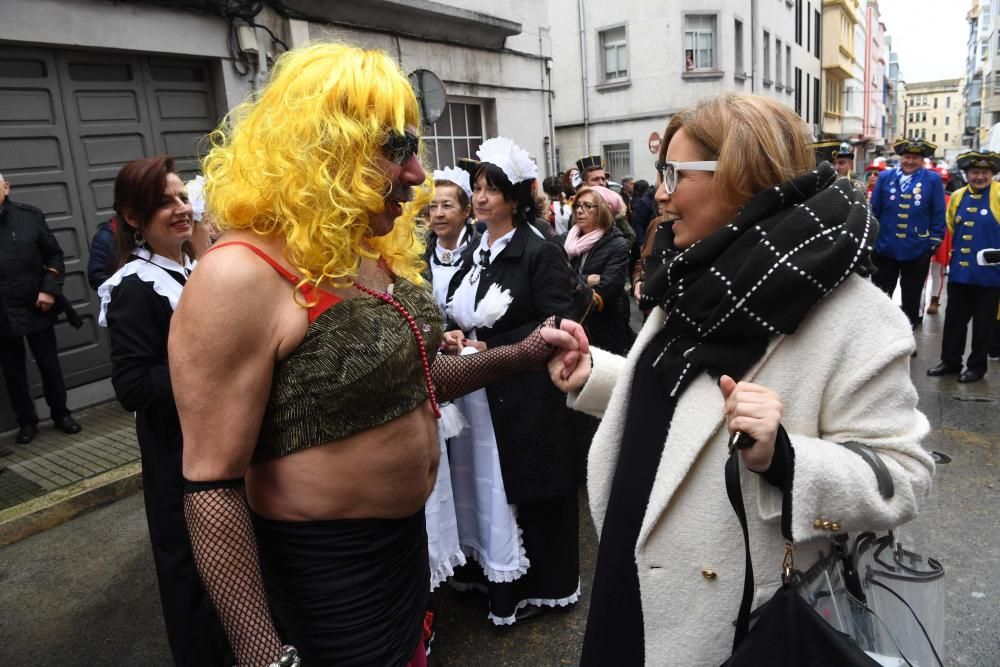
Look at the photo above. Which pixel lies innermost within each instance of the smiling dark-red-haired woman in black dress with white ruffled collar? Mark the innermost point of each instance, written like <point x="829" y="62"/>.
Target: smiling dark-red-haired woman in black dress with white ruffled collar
<point x="137" y="302"/>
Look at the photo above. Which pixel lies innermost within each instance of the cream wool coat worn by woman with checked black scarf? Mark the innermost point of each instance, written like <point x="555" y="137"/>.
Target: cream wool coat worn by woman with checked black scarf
<point x="842" y="377"/>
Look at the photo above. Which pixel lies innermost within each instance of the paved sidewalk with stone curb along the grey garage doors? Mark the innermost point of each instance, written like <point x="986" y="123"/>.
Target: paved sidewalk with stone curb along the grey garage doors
<point x="58" y="476"/>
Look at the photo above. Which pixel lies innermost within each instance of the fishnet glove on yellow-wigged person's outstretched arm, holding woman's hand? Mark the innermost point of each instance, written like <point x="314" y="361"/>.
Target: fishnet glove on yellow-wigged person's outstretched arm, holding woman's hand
<point x="456" y="375"/>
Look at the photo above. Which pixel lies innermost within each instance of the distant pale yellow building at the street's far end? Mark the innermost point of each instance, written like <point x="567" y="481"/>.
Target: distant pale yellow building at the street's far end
<point x="934" y="112"/>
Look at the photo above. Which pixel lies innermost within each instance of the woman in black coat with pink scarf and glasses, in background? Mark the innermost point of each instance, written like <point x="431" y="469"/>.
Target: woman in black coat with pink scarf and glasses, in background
<point x="600" y="254"/>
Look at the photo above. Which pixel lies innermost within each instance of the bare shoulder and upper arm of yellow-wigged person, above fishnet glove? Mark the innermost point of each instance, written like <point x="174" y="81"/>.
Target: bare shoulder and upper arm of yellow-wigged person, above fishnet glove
<point x="236" y="317"/>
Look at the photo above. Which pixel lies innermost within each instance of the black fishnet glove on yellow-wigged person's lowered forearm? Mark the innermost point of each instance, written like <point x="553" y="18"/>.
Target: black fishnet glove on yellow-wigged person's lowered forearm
<point x="225" y="551"/>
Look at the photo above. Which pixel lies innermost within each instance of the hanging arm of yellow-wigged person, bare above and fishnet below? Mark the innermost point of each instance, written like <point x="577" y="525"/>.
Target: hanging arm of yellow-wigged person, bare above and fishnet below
<point x="223" y="344"/>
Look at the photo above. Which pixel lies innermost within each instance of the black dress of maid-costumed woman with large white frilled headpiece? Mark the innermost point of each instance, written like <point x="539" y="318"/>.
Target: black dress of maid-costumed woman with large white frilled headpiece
<point x="530" y="421"/>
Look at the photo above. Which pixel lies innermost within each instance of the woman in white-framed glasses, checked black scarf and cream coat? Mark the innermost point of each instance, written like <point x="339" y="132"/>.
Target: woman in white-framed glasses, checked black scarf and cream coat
<point x="763" y="324"/>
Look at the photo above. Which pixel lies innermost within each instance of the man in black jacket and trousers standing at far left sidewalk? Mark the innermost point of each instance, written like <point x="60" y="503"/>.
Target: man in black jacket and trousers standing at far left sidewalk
<point x="31" y="276"/>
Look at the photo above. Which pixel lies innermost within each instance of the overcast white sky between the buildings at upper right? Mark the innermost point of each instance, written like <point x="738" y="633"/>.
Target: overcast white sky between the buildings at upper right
<point x="930" y="37"/>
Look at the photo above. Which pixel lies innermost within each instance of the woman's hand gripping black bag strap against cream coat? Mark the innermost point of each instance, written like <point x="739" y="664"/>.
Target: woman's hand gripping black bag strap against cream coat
<point x="756" y="411"/>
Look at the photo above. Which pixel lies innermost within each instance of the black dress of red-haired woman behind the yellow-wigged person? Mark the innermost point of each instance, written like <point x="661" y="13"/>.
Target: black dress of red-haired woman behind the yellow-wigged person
<point x="138" y="320"/>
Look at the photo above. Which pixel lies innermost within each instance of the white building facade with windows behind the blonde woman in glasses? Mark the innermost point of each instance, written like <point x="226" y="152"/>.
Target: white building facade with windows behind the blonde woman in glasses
<point x="619" y="75"/>
